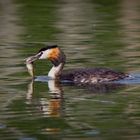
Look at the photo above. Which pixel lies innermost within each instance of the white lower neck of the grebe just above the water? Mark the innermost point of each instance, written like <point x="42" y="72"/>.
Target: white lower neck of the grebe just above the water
<point x="55" y="71"/>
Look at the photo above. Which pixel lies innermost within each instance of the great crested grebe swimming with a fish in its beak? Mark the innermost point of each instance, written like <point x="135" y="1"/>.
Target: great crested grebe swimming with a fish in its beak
<point x="84" y="75"/>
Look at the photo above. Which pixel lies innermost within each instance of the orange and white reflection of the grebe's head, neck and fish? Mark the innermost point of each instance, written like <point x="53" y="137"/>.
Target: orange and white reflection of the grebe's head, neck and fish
<point x="51" y="107"/>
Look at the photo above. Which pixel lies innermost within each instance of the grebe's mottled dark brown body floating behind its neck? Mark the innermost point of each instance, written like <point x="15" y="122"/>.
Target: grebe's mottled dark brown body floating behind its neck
<point x="92" y="75"/>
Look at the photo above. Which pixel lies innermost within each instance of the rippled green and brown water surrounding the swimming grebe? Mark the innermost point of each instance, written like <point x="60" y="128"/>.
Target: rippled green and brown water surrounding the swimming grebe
<point x="92" y="33"/>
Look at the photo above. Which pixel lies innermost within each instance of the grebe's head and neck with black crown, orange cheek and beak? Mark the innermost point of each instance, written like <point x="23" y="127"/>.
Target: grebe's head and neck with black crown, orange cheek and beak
<point x="55" y="55"/>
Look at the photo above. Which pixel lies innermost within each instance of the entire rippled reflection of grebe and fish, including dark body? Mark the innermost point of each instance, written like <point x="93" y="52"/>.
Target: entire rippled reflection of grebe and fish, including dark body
<point x="53" y="107"/>
